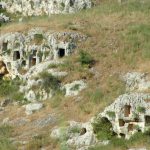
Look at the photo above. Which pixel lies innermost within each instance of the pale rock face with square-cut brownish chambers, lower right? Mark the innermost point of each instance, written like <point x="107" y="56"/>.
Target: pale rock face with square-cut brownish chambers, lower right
<point x="129" y="114"/>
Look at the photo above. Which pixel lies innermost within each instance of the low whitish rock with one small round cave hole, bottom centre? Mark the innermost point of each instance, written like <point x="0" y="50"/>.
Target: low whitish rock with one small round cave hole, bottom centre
<point x="79" y="135"/>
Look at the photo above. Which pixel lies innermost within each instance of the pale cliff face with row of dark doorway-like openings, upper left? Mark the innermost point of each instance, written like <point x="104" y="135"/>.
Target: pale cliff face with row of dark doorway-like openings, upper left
<point x="21" y="51"/>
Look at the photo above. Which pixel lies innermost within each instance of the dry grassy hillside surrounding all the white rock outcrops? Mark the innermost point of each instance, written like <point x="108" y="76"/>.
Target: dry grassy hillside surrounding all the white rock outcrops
<point x="117" y="42"/>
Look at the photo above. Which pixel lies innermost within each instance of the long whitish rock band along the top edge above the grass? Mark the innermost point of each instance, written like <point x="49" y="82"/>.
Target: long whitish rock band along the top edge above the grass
<point x="48" y="7"/>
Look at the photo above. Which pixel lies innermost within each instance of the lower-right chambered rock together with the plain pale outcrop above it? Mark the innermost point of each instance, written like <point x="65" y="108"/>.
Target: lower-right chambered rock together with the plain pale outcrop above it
<point x="130" y="112"/>
